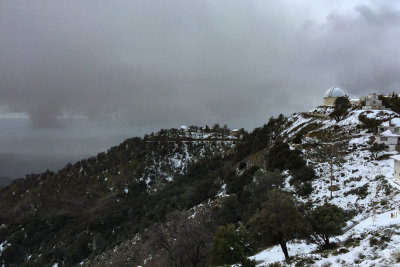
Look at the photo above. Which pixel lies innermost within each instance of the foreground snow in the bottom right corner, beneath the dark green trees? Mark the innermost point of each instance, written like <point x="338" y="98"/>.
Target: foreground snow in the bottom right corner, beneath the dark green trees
<point x="361" y="255"/>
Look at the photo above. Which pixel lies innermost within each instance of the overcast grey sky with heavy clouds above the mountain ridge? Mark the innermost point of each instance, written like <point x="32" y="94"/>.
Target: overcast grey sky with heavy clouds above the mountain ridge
<point x="77" y="77"/>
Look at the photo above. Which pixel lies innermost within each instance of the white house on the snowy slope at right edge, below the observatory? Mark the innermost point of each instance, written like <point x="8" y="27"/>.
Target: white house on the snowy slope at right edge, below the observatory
<point x="389" y="134"/>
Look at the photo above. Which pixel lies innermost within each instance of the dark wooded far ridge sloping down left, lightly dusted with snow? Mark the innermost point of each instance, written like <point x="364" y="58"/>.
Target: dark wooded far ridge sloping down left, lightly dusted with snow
<point x="103" y="198"/>
